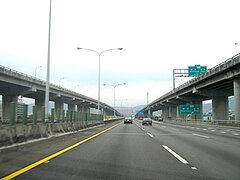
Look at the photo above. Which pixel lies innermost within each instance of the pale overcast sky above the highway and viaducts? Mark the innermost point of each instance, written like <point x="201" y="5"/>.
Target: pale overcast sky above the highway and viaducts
<point x="156" y="36"/>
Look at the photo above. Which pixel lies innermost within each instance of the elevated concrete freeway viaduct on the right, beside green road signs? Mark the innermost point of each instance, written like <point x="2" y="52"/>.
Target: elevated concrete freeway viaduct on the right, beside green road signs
<point x="217" y="84"/>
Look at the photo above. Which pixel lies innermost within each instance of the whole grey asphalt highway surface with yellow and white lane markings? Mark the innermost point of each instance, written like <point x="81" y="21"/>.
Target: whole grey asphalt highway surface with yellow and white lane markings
<point x="133" y="151"/>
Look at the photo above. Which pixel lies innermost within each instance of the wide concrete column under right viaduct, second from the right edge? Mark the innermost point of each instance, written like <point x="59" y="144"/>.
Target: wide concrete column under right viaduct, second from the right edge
<point x="220" y="108"/>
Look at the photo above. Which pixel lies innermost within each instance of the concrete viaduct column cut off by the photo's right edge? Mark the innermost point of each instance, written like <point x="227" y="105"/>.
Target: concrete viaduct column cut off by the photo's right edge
<point x="236" y="87"/>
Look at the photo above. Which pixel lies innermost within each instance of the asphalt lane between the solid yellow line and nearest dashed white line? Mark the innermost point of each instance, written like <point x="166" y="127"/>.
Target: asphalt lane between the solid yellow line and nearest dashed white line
<point x="125" y="152"/>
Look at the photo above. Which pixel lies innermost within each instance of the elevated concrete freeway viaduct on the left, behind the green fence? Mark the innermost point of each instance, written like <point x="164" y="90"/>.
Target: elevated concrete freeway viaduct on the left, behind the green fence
<point x="14" y="84"/>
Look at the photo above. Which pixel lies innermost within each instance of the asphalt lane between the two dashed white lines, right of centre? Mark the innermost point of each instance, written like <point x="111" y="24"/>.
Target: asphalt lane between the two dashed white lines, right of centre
<point x="211" y="157"/>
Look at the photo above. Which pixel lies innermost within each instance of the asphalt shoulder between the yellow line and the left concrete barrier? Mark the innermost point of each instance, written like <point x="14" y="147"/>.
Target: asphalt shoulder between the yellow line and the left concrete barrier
<point x="20" y="155"/>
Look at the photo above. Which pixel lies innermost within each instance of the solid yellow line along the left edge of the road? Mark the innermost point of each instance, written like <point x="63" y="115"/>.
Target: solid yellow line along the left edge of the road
<point x="46" y="159"/>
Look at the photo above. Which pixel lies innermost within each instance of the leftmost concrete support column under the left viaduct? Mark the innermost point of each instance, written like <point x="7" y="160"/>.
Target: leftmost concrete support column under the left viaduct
<point x="6" y="100"/>
